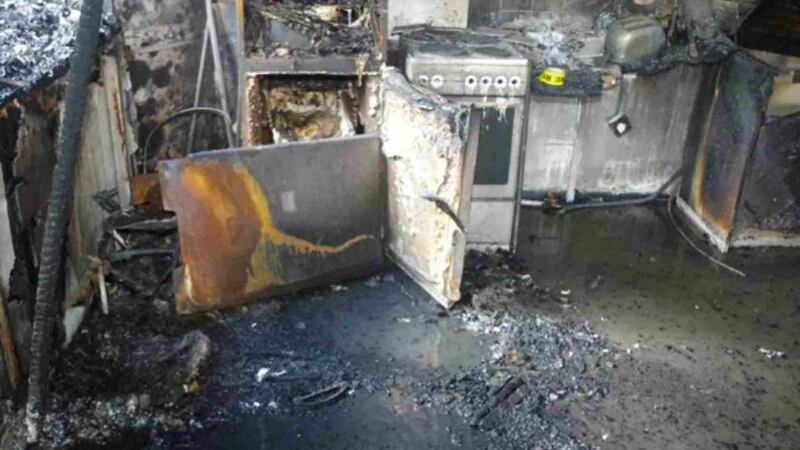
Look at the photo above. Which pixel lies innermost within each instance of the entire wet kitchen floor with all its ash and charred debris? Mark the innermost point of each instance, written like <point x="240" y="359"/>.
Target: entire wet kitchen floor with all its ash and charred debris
<point x="608" y="331"/>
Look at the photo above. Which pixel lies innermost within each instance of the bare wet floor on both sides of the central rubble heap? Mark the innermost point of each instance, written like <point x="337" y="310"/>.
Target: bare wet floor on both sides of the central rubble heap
<point x="694" y="368"/>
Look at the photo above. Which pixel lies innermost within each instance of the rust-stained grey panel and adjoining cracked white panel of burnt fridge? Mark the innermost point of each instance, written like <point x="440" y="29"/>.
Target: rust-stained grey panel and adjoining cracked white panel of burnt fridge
<point x="268" y="219"/>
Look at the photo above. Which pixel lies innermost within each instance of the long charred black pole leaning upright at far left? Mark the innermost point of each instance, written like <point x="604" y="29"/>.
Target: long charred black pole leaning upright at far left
<point x="57" y="213"/>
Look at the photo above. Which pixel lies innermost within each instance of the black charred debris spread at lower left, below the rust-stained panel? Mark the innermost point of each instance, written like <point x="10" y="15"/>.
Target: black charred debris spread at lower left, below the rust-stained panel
<point x="141" y="373"/>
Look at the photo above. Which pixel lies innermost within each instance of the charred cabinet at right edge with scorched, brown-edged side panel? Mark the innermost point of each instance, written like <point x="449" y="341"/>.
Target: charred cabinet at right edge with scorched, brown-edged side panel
<point x="743" y="187"/>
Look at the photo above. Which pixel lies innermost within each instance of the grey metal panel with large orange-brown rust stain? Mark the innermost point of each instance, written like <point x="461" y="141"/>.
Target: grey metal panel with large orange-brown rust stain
<point x="266" y="220"/>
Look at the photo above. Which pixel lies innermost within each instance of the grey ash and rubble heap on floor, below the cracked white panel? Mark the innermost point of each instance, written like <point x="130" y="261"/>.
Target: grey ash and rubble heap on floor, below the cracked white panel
<point x="521" y="392"/>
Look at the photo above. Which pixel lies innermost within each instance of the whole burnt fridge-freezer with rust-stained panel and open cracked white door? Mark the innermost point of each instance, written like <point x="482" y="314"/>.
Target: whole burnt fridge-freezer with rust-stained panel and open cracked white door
<point x="341" y="165"/>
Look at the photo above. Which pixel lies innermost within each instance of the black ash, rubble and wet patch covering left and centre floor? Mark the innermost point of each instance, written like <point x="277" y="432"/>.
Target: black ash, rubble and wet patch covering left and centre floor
<point x="412" y="375"/>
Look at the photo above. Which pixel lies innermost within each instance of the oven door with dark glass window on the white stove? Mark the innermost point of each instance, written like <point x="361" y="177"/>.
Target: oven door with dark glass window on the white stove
<point x="494" y="212"/>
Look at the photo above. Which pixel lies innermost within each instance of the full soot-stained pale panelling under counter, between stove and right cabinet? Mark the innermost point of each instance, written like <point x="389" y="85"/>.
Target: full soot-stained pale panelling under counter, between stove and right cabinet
<point x="570" y="139"/>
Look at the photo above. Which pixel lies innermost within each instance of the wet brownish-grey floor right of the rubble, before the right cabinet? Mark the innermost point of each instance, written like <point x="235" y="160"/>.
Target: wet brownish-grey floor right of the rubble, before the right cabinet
<point x="699" y="337"/>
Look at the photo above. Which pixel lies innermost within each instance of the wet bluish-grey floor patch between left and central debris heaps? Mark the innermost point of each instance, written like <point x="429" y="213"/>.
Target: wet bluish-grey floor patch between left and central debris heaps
<point x="386" y="333"/>
